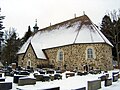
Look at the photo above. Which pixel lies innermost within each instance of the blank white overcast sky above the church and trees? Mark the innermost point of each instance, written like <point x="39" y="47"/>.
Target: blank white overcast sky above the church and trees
<point x="22" y="13"/>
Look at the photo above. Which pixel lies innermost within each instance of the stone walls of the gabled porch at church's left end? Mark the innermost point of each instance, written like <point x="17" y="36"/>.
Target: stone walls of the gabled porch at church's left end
<point x="31" y="56"/>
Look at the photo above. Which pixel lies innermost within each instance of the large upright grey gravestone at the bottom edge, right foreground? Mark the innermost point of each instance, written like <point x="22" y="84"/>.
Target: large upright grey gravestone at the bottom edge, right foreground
<point x="94" y="85"/>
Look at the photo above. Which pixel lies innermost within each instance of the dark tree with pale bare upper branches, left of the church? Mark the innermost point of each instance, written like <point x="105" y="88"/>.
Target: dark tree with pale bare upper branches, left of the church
<point x="11" y="47"/>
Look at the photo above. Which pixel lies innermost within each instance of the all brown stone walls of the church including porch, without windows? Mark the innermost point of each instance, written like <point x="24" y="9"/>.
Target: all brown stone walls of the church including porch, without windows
<point x="74" y="57"/>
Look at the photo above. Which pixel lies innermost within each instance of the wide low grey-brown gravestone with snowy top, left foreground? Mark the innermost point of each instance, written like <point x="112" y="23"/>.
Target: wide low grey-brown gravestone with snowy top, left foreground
<point x="26" y="81"/>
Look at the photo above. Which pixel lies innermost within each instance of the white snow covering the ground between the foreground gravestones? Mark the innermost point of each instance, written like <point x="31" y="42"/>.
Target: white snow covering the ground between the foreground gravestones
<point x="68" y="83"/>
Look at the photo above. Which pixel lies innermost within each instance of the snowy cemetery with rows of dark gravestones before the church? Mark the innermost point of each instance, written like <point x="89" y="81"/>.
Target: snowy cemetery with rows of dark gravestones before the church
<point x="50" y="79"/>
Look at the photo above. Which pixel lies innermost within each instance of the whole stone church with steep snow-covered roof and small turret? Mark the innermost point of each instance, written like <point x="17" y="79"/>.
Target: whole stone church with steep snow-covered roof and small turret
<point x="72" y="44"/>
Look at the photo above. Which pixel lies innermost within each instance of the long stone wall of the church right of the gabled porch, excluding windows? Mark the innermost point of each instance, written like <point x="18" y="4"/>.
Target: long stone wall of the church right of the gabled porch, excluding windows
<point x="75" y="57"/>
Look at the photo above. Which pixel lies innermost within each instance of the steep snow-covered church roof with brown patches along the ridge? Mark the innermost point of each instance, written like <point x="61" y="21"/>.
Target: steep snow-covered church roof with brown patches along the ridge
<point x="77" y="30"/>
